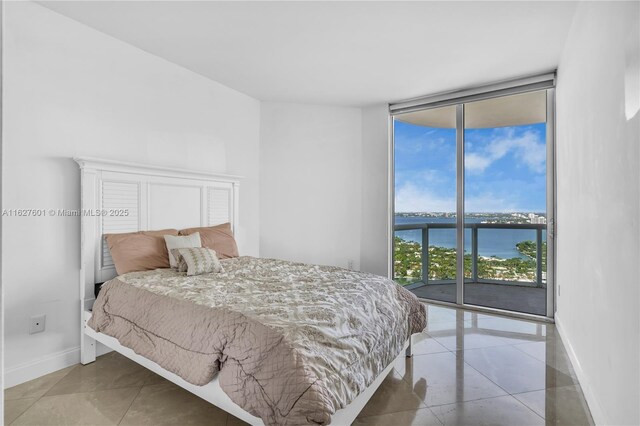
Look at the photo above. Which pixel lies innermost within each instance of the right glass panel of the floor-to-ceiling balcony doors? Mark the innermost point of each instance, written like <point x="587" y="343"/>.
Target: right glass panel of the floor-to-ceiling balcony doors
<point x="505" y="202"/>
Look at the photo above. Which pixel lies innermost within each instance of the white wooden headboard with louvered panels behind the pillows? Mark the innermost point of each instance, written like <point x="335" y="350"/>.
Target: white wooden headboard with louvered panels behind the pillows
<point x="125" y="197"/>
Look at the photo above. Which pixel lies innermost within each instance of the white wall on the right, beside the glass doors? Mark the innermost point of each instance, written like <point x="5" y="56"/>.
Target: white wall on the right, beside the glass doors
<point x="598" y="177"/>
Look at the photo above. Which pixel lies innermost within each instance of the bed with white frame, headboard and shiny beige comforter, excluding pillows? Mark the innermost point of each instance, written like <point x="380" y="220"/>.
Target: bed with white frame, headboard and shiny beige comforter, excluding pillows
<point x="270" y="341"/>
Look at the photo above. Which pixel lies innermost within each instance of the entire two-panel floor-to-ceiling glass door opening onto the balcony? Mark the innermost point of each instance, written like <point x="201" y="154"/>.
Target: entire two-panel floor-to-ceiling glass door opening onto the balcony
<point x="473" y="186"/>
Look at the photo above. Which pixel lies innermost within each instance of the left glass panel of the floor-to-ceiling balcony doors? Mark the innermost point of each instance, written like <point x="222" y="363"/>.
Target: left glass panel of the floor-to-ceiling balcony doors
<point x="425" y="179"/>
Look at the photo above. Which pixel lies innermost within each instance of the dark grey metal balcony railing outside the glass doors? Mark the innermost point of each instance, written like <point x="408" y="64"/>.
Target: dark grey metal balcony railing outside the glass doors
<point x="425" y="227"/>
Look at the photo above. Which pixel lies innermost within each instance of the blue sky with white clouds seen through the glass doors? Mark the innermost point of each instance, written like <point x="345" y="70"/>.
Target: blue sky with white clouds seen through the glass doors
<point x="505" y="169"/>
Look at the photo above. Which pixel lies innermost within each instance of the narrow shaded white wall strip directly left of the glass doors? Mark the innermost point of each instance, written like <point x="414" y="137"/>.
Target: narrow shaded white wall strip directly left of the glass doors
<point x="374" y="238"/>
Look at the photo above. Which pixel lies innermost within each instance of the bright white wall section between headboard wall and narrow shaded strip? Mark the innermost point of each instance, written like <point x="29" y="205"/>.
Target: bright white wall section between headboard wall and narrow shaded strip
<point x="310" y="177"/>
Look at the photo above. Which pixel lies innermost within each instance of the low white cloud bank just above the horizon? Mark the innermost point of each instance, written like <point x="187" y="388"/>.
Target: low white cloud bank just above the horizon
<point x="411" y="198"/>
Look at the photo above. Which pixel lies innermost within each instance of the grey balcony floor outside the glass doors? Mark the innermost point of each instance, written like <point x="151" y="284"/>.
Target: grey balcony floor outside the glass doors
<point x="531" y="300"/>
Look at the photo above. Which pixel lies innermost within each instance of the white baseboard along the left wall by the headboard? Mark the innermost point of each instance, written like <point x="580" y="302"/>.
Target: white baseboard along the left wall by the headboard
<point x="44" y="365"/>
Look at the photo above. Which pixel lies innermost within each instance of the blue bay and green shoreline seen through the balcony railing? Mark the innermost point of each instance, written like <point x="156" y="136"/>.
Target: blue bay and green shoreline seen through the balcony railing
<point x="506" y="247"/>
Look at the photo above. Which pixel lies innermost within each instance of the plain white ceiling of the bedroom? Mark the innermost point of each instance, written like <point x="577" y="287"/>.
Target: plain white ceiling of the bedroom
<point x="340" y="53"/>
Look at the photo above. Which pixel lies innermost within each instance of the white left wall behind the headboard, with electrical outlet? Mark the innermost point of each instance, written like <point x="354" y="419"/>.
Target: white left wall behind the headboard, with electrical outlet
<point x="72" y="91"/>
